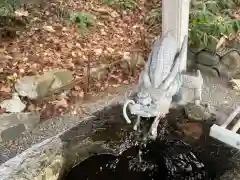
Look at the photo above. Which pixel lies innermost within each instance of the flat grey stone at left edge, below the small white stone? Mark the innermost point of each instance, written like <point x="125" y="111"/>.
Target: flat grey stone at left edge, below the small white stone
<point x="14" y="124"/>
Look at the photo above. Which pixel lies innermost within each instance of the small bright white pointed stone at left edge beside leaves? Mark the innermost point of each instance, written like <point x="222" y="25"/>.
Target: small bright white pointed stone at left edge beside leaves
<point x="13" y="105"/>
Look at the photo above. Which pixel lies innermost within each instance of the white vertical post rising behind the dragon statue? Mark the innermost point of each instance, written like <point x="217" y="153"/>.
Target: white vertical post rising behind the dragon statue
<point x="175" y="17"/>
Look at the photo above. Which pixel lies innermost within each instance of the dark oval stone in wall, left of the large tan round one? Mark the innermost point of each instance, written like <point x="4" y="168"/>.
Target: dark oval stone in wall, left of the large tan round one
<point x="207" y="58"/>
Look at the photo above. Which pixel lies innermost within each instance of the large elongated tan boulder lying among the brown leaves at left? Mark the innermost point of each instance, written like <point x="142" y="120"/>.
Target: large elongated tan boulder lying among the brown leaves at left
<point x="38" y="86"/>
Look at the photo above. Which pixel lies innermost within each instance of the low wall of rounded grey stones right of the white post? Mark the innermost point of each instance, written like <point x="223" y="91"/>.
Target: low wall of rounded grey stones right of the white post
<point x="225" y="62"/>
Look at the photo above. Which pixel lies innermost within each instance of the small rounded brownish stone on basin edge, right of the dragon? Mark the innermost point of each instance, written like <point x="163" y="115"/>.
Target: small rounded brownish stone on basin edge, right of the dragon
<point x="198" y="112"/>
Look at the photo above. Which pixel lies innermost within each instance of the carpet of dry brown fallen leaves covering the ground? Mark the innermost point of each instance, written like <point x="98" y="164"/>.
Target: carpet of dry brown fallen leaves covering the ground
<point x="47" y="42"/>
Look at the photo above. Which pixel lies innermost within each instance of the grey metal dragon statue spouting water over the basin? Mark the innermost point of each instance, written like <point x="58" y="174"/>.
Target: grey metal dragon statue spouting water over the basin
<point x="161" y="83"/>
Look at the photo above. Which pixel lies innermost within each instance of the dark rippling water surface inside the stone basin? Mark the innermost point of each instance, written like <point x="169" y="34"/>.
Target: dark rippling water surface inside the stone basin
<point x="161" y="160"/>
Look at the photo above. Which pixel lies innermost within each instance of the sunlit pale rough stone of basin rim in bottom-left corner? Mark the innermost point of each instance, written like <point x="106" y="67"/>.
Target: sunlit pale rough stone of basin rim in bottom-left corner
<point x="43" y="161"/>
